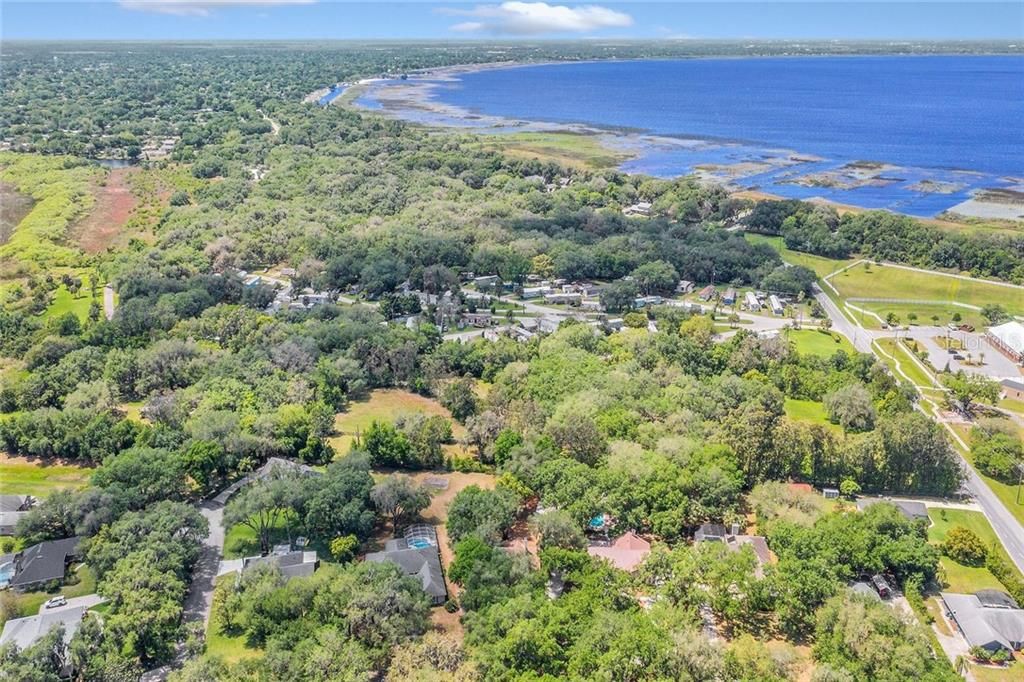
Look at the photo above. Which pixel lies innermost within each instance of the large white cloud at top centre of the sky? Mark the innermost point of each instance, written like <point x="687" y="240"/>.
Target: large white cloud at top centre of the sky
<point x="532" y="19"/>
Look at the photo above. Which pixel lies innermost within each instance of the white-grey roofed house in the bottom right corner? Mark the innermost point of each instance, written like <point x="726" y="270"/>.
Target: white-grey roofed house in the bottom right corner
<point x="986" y="621"/>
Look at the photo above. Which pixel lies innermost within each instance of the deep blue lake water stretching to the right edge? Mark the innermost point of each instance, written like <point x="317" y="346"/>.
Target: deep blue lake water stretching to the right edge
<point x="943" y="126"/>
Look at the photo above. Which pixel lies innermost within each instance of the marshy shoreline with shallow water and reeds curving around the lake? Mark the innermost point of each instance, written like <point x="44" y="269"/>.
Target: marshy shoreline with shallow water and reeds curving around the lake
<point x="738" y="165"/>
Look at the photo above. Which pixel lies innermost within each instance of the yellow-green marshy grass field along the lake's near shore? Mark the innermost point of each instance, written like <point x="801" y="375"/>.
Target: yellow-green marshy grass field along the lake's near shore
<point x="570" y="150"/>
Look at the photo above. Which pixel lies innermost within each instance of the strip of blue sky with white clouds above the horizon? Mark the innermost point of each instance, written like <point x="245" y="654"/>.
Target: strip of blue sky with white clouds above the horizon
<point x="342" y="20"/>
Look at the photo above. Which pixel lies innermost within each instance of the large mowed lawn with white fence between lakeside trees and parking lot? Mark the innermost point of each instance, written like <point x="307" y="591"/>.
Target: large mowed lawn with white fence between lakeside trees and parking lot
<point x="888" y="282"/>
